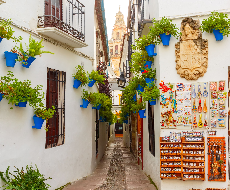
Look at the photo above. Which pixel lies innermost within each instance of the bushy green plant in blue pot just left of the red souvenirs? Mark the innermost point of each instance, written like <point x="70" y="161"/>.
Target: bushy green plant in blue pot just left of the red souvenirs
<point x="151" y="93"/>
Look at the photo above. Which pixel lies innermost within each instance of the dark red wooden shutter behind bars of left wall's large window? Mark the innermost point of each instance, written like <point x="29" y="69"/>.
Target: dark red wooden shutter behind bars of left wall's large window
<point x="52" y="134"/>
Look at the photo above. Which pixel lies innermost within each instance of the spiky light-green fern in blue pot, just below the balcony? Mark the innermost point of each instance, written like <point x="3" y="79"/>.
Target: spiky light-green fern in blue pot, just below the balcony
<point x="27" y="56"/>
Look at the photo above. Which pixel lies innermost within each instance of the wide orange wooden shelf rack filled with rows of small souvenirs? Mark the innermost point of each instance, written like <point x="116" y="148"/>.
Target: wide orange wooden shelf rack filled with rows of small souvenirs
<point x="182" y="156"/>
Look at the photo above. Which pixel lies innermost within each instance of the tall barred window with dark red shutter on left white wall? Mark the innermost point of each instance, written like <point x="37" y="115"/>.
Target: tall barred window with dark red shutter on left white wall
<point x="55" y="96"/>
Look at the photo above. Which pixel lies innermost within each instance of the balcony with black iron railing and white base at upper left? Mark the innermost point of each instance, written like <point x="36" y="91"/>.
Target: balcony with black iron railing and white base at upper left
<point x="64" y="21"/>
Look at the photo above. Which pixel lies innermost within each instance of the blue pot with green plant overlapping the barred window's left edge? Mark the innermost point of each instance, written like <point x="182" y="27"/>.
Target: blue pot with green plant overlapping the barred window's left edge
<point x="41" y="114"/>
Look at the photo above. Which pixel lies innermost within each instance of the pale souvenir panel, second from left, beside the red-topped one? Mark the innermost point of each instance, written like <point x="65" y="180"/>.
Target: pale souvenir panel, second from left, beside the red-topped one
<point x="184" y="105"/>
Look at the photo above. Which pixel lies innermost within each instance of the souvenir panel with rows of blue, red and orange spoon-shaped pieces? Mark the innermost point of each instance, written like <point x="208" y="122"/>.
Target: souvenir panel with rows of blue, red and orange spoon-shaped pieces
<point x="200" y="105"/>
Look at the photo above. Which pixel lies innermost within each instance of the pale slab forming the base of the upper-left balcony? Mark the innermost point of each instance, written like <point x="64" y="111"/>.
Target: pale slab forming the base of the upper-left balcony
<point x="61" y="36"/>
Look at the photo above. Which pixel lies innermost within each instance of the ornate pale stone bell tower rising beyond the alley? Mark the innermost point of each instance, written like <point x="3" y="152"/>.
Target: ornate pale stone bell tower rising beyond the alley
<point x="115" y="43"/>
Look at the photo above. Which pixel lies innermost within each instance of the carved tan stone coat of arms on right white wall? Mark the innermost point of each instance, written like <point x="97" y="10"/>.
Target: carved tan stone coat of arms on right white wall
<point x="192" y="51"/>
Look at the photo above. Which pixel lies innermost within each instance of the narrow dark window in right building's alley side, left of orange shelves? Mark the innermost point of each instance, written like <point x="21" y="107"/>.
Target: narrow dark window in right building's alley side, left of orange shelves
<point x="151" y="129"/>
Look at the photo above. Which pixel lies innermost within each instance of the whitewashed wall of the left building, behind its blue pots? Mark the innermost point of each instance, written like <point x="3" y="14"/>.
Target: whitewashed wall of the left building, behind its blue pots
<point x="20" y="144"/>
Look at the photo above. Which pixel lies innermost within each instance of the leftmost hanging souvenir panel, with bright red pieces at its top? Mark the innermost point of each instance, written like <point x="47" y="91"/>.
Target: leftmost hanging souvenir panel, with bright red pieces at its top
<point x="168" y="105"/>
